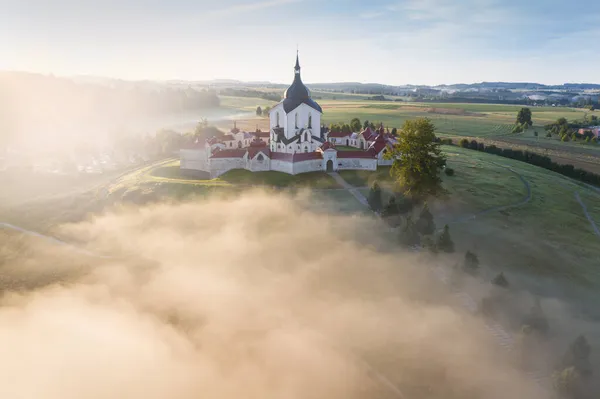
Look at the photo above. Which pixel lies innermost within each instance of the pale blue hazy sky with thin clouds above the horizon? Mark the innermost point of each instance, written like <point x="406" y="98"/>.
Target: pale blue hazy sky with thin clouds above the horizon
<point x="383" y="41"/>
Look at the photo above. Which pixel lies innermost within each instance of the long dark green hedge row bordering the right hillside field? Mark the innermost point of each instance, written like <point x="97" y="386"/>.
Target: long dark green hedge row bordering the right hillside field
<point x="535" y="159"/>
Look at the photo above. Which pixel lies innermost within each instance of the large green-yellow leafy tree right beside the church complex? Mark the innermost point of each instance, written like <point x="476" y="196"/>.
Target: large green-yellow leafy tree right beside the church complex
<point x="418" y="161"/>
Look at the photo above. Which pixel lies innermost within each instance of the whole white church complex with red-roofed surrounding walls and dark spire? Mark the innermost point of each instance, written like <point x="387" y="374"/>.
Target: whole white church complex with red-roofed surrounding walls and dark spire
<point x="296" y="142"/>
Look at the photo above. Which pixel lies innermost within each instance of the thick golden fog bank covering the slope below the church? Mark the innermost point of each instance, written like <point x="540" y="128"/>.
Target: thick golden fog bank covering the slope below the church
<point x="254" y="297"/>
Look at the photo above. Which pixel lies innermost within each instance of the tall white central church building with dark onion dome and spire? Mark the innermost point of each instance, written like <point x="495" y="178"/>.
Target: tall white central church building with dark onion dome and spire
<point x="296" y="121"/>
